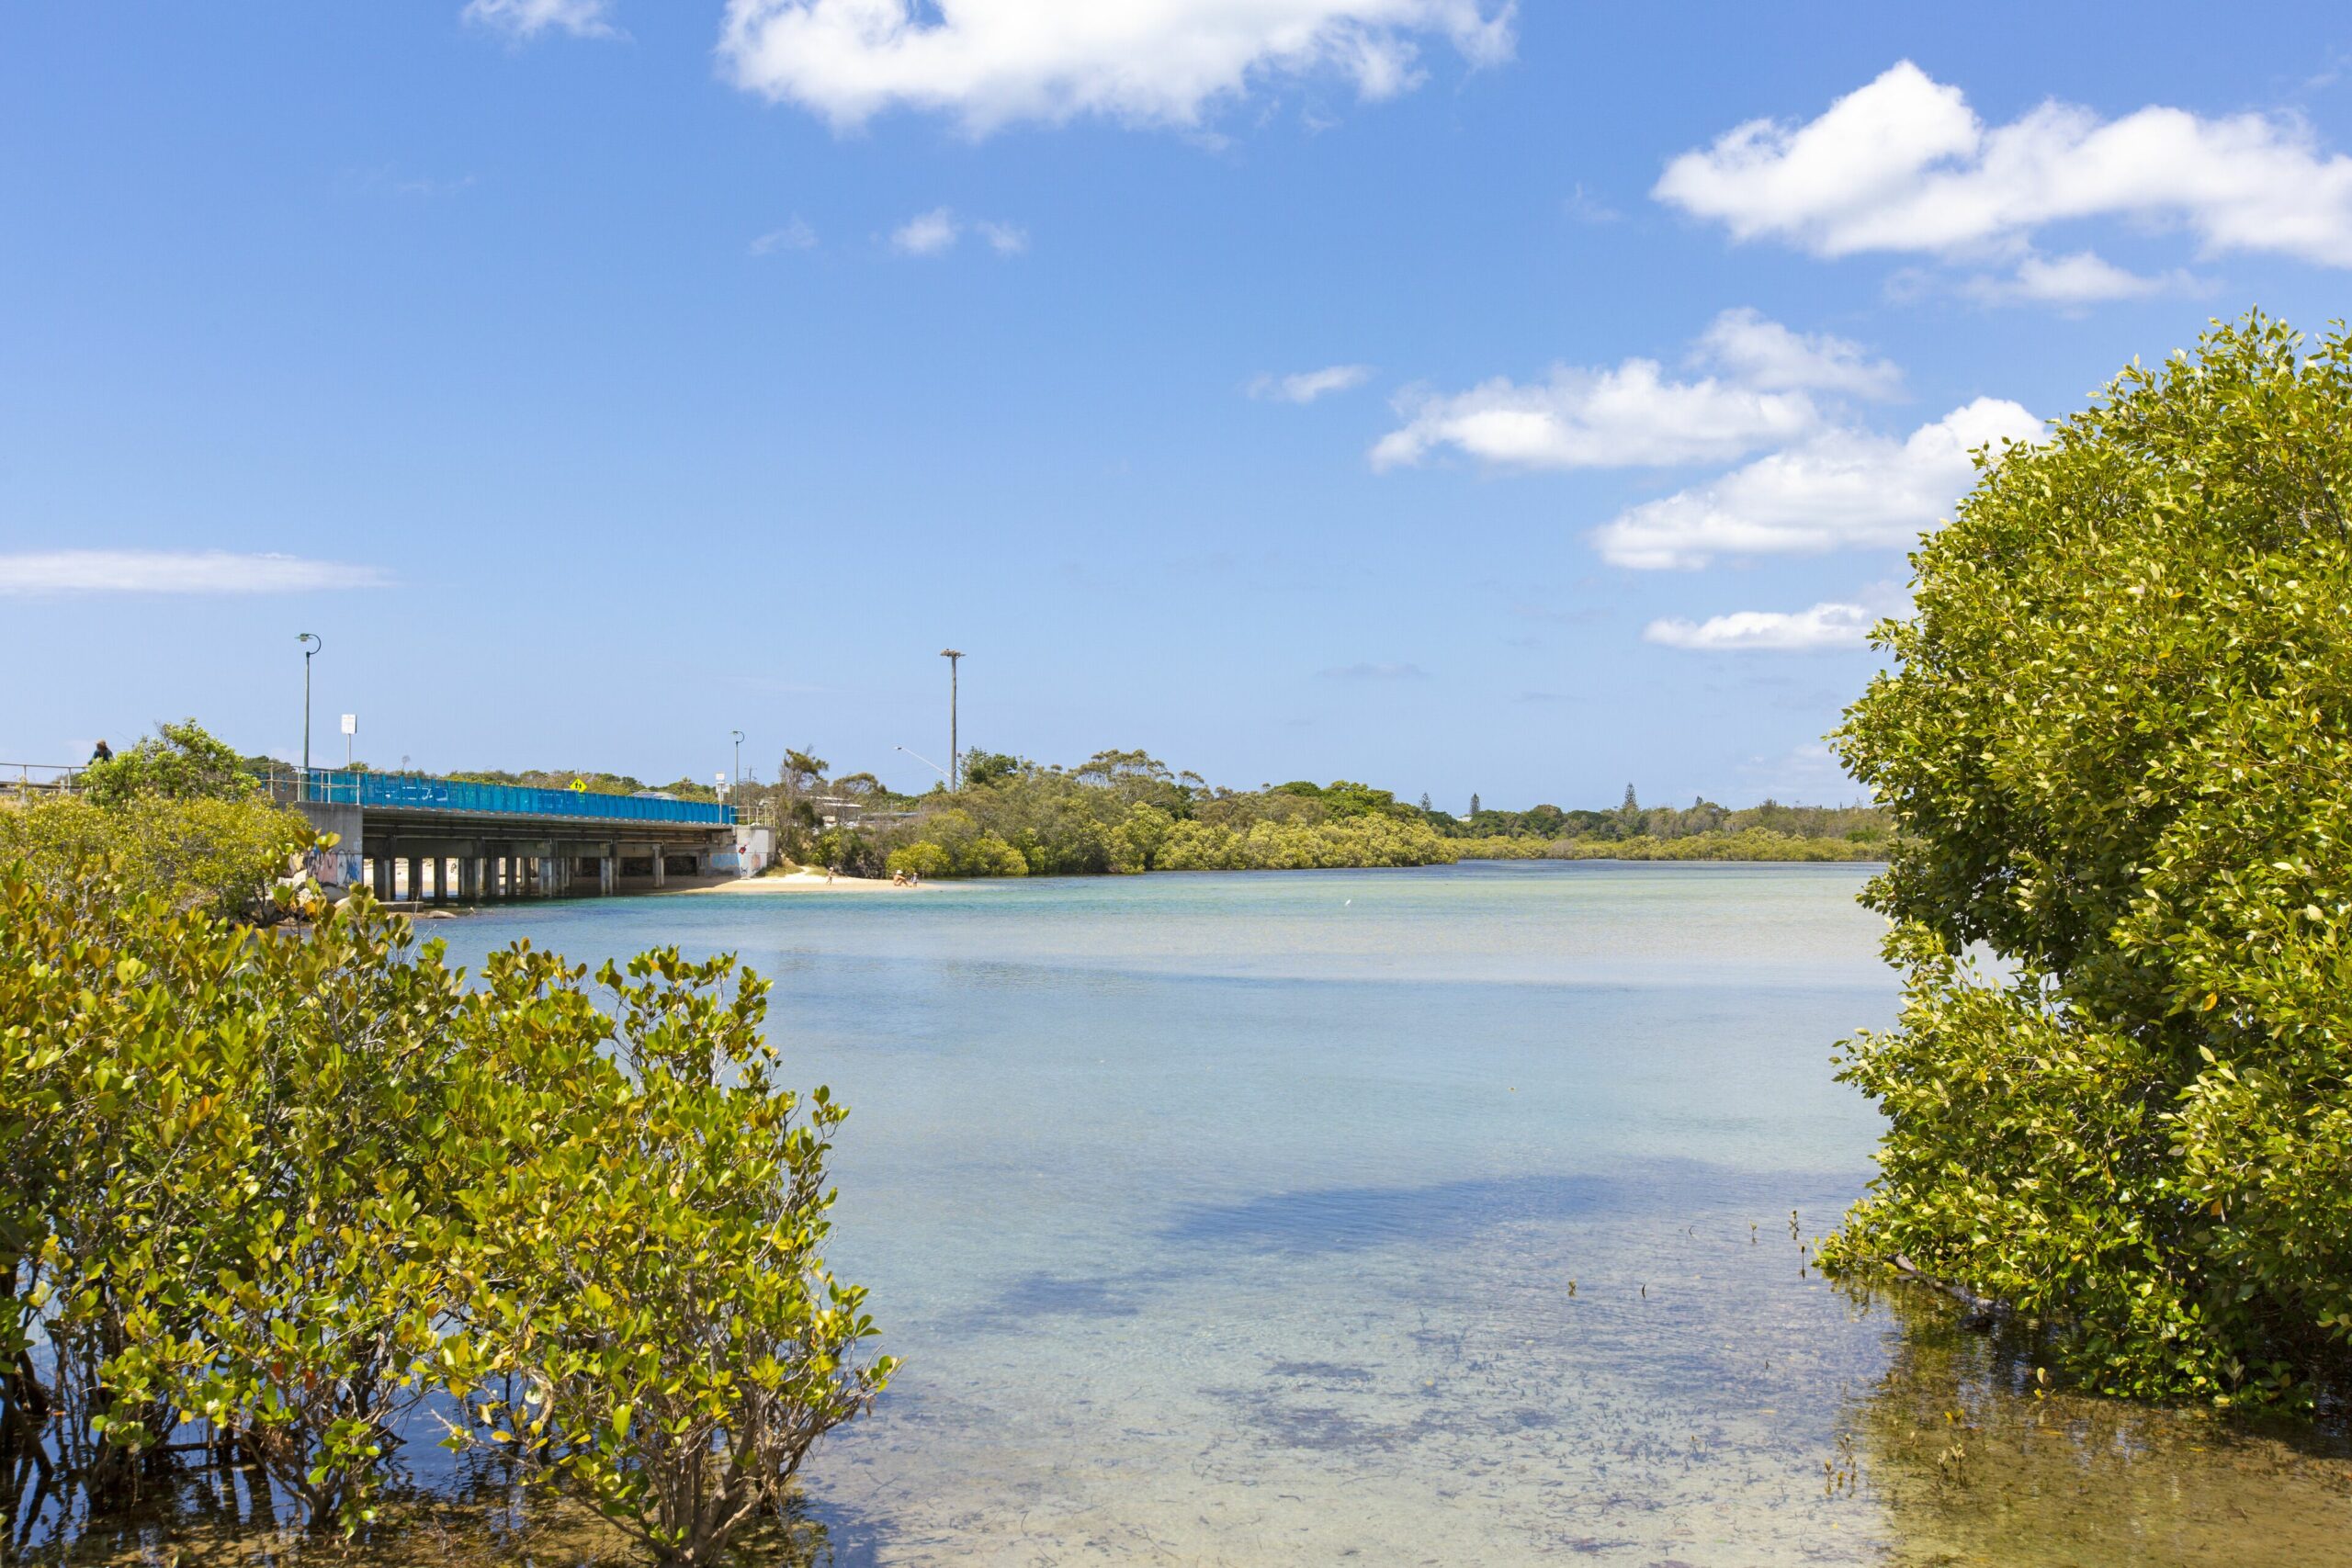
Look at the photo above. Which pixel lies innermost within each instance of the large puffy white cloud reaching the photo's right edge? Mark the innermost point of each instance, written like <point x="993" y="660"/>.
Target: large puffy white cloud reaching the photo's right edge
<point x="1906" y="166"/>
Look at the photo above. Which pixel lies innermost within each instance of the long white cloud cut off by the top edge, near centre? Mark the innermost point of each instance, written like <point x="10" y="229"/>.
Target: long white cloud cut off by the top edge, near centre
<point x="1156" y="62"/>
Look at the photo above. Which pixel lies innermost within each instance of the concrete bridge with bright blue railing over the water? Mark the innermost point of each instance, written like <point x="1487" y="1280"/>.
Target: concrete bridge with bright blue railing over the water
<point x="441" y="840"/>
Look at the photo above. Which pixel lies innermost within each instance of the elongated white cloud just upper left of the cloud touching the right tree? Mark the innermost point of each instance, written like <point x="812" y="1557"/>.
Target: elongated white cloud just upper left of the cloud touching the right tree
<point x="1626" y="417"/>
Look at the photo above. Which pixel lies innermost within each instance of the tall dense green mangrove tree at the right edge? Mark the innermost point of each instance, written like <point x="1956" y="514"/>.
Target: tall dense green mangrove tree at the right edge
<point x="2118" y="746"/>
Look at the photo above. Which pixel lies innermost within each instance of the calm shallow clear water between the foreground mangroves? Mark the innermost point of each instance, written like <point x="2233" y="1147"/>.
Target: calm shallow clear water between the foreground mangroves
<point x="1429" y="1217"/>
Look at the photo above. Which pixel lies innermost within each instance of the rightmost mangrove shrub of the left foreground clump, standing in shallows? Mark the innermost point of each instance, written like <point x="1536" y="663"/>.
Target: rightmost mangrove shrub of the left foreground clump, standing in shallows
<point x="657" y="1292"/>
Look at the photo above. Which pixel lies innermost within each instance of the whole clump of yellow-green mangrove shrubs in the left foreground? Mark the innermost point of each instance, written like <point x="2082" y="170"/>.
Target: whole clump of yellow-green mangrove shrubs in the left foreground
<point x="281" y="1184"/>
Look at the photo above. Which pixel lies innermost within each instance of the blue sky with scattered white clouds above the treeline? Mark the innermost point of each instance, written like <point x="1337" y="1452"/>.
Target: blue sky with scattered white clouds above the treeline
<point x="1419" y="391"/>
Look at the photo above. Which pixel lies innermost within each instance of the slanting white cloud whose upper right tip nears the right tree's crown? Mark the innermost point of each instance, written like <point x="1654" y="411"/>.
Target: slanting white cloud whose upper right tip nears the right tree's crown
<point x="1838" y="490"/>
